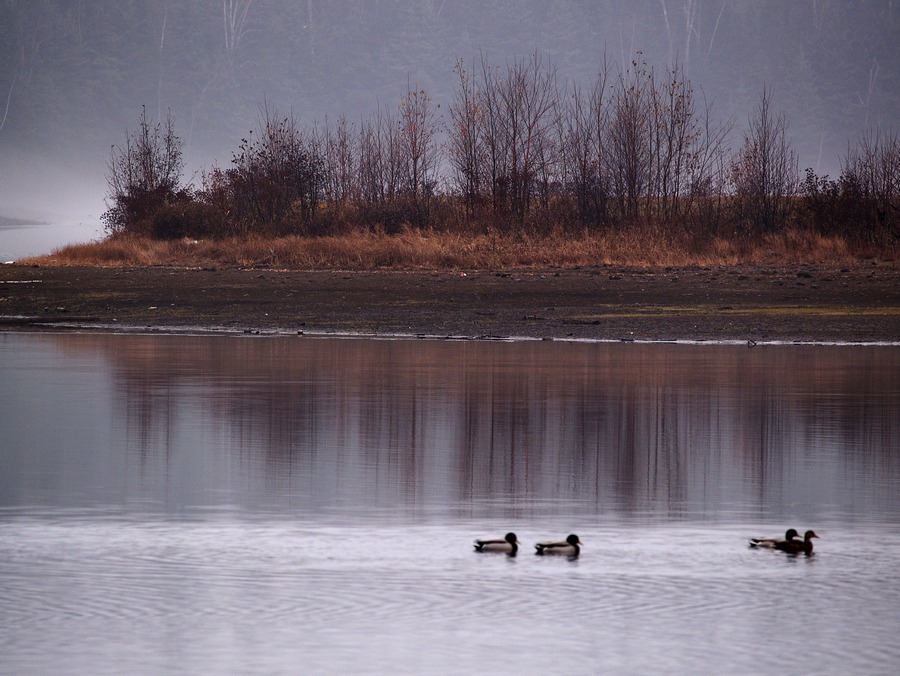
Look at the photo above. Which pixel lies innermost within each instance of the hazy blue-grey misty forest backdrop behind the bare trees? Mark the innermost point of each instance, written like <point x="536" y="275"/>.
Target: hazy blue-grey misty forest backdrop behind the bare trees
<point x="74" y="74"/>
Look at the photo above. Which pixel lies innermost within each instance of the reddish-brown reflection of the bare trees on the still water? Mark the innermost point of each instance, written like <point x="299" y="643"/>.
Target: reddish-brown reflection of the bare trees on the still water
<point x="357" y="423"/>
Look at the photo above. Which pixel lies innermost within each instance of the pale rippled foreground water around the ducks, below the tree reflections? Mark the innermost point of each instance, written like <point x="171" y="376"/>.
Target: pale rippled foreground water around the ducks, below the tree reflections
<point x="628" y="603"/>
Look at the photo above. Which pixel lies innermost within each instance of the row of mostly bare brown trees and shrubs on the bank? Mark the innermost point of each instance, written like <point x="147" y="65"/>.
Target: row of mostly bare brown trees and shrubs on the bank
<point x="632" y="164"/>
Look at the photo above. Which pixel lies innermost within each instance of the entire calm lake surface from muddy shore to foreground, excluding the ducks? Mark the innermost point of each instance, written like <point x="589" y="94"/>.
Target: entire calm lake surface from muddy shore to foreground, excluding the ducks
<point x="204" y="504"/>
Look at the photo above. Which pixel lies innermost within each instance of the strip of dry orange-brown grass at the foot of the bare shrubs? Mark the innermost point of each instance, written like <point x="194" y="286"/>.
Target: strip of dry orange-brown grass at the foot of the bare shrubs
<point x="413" y="249"/>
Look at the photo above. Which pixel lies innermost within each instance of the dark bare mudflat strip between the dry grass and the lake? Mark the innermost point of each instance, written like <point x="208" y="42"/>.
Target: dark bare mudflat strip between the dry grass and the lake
<point x="757" y="304"/>
